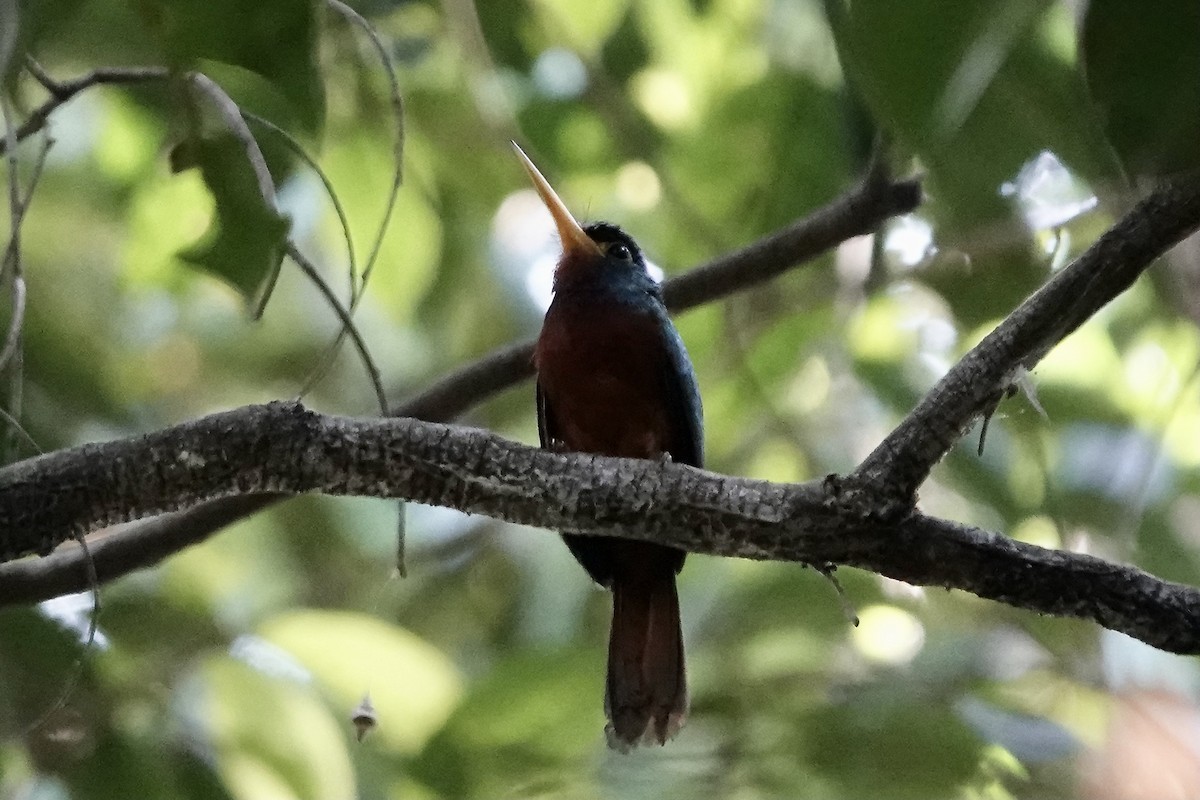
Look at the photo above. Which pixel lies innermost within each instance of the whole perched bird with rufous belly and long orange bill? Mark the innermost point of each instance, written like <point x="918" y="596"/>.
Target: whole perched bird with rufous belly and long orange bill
<point x="615" y="380"/>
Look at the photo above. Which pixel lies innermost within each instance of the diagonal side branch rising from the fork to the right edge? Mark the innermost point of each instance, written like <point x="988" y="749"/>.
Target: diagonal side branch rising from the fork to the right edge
<point x="974" y="387"/>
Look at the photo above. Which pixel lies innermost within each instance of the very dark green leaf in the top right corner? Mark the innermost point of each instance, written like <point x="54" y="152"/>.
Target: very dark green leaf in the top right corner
<point x="1143" y="64"/>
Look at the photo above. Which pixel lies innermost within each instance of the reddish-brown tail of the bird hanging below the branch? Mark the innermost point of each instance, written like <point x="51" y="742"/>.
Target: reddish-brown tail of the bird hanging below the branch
<point x="646" y="697"/>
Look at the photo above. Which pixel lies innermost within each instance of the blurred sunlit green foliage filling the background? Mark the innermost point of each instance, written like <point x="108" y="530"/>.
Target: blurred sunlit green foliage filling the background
<point x="232" y="670"/>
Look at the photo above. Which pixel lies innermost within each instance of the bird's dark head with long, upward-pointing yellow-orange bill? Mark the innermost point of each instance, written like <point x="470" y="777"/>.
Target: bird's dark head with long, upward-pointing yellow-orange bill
<point x="599" y="252"/>
